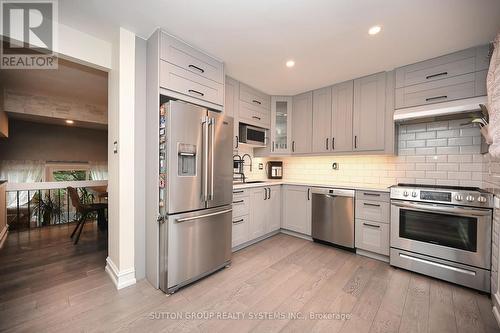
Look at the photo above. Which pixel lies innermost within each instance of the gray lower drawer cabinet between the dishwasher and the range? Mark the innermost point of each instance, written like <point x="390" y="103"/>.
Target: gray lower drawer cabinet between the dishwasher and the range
<point x="372" y="222"/>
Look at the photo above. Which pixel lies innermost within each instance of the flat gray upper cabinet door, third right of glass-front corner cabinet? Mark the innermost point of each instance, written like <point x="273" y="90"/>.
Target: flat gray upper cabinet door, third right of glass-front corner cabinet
<point x="342" y="108"/>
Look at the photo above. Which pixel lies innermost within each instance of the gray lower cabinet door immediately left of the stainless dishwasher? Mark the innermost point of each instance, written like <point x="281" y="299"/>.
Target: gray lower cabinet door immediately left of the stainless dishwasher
<point x="297" y="209"/>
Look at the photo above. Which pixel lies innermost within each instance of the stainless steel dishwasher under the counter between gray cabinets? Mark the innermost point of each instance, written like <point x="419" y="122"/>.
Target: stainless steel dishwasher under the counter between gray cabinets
<point x="333" y="216"/>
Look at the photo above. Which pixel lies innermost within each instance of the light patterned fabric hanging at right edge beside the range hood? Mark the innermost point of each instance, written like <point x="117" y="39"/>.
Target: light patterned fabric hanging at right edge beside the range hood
<point x="493" y="89"/>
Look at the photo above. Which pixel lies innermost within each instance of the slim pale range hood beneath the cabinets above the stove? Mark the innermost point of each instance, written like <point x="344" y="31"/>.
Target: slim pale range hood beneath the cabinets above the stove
<point x="453" y="109"/>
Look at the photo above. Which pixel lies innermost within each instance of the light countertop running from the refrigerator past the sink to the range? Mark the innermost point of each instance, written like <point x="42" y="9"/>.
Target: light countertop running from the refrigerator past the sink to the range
<point x="350" y="186"/>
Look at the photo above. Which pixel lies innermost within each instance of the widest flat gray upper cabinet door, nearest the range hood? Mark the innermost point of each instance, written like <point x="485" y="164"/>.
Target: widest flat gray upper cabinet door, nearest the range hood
<point x="369" y="112"/>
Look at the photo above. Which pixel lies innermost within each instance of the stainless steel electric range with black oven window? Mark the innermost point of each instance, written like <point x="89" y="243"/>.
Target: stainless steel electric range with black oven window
<point x="444" y="232"/>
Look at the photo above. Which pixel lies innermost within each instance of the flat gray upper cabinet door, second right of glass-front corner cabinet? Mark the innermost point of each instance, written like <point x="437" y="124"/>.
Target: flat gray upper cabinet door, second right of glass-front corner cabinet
<point x="322" y="119"/>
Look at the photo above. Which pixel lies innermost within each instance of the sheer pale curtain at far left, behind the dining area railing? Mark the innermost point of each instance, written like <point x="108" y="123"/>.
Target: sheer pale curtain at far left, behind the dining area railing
<point x="21" y="172"/>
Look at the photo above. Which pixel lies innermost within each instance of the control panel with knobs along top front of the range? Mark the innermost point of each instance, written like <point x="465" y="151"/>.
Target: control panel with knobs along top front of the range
<point x="454" y="197"/>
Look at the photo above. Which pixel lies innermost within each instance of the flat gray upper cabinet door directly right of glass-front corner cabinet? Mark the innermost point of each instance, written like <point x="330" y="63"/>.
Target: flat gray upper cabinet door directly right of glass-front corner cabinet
<point x="302" y="123"/>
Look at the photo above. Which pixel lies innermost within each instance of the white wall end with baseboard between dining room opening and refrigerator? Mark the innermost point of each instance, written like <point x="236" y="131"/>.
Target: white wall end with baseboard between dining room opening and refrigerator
<point x="121" y="164"/>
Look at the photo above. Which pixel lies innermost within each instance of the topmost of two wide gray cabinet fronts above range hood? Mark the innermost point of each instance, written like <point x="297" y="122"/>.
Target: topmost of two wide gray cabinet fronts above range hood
<point x="455" y="64"/>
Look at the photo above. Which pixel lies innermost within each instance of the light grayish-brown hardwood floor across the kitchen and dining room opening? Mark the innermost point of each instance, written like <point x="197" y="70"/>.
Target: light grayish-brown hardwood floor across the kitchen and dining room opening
<point x="277" y="276"/>
